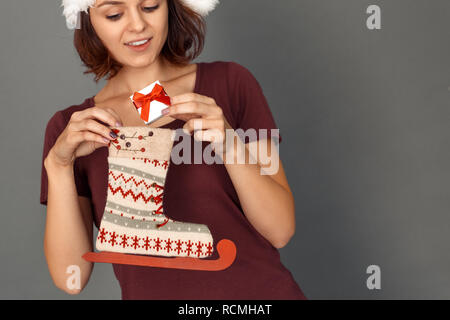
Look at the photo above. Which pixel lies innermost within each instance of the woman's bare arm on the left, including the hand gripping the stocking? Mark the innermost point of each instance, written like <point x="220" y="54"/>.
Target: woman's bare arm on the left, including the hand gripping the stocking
<point x="69" y="227"/>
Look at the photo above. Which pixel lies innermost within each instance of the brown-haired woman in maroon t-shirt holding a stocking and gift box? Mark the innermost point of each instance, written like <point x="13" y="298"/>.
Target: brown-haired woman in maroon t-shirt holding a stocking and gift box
<point x="113" y="42"/>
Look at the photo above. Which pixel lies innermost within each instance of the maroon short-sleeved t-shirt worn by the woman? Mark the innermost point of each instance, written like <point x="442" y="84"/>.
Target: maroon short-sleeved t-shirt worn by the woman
<point x="196" y="193"/>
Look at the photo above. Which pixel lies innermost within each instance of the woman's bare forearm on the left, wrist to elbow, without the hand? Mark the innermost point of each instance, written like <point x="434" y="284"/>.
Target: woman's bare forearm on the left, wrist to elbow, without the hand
<point x="68" y="229"/>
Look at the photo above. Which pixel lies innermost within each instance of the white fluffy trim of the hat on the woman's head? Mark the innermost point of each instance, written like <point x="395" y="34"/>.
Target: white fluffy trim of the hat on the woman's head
<point x="73" y="8"/>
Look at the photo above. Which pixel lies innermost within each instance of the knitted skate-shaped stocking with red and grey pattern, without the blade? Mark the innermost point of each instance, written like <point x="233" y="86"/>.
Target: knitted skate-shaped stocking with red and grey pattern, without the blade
<point x="133" y="220"/>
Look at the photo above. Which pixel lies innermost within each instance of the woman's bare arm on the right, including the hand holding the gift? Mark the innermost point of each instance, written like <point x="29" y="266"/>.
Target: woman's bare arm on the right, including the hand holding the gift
<point x="266" y="199"/>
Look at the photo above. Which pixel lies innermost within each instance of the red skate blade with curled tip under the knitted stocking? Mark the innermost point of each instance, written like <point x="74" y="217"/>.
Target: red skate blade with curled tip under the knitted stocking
<point x="226" y="249"/>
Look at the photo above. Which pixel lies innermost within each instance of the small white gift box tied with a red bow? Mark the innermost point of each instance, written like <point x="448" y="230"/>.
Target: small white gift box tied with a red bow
<point x="150" y="101"/>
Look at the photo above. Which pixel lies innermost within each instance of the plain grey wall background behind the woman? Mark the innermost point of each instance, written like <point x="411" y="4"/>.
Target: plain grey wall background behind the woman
<point x="364" y="117"/>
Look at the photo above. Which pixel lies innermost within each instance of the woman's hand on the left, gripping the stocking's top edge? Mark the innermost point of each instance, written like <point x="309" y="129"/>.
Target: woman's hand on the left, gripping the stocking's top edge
<point x="83" y="134"/>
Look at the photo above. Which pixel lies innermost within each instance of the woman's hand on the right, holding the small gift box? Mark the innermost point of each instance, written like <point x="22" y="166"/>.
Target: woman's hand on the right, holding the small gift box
<point x="202" y="115"/>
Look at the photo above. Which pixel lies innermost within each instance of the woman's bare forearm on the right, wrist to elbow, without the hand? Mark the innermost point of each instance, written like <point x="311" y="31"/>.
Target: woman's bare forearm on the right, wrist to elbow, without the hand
<point x="270" y="205"/>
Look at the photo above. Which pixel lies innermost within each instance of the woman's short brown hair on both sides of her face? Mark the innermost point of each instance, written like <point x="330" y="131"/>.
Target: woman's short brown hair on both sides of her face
<point x="187" y="31"/>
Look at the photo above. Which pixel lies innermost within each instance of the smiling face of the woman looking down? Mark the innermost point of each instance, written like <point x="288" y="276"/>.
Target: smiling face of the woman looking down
<point x="125" y="27"/>
